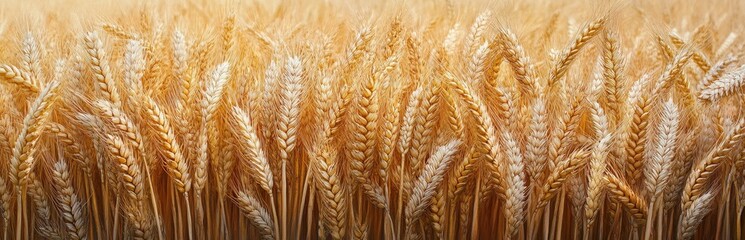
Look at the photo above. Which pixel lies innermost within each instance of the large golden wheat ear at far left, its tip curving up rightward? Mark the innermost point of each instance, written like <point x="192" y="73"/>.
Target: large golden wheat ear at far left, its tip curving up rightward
<point x="22" y="161"/>
